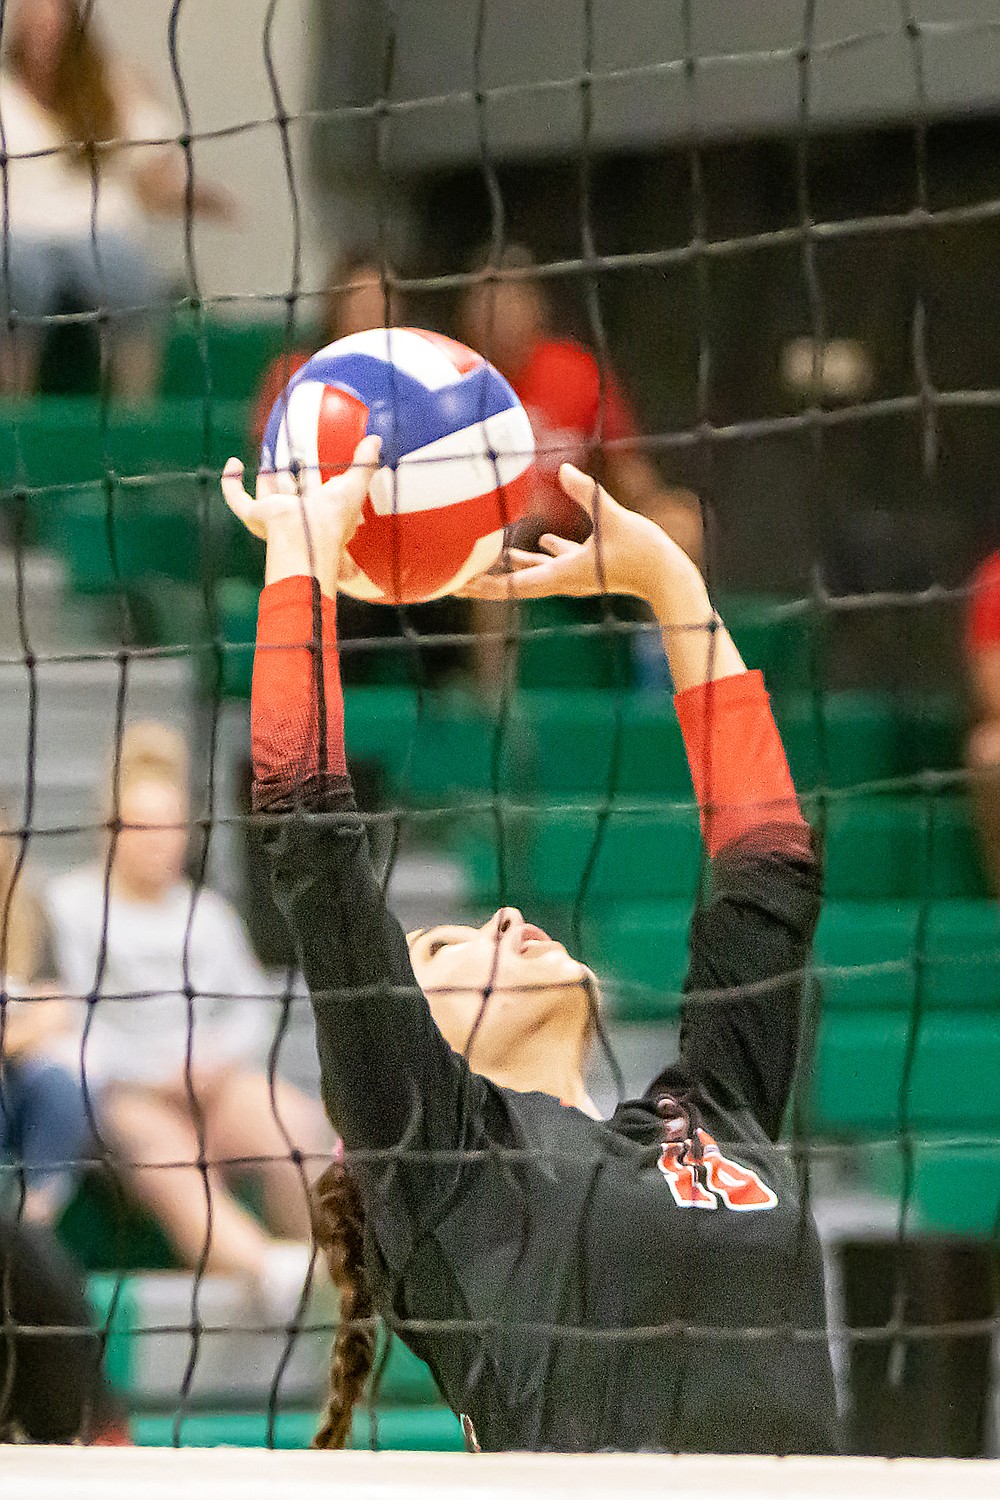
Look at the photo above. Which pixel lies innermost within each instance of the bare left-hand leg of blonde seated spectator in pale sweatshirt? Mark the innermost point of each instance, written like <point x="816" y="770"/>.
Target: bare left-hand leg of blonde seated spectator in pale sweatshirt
<point x="158" y="1145"/>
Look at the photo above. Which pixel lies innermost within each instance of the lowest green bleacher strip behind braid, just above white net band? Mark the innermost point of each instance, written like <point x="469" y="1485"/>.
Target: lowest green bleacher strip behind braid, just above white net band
<point x="418" y="1429"/>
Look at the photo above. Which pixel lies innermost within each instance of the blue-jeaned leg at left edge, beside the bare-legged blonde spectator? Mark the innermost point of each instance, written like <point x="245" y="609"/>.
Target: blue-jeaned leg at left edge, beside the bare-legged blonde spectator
<point x="53" y="1135"/>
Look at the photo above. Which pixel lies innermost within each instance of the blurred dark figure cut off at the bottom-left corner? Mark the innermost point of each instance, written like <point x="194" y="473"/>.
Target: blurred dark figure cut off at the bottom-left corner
<point x="52" y="1387"/>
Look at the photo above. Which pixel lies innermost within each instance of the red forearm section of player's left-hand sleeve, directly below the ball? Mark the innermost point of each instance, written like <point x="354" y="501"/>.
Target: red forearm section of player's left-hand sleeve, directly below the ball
<point x="298" y="703"/>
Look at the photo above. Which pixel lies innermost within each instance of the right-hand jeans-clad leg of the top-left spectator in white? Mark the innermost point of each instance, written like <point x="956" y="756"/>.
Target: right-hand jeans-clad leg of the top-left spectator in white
<point x="116" y="275"/>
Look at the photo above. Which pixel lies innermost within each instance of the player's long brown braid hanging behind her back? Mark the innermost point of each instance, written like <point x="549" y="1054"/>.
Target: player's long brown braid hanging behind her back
<point x="338" y="1225"/>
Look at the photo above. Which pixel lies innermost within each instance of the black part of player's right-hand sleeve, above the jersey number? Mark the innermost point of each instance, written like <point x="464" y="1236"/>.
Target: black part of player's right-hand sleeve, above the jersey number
<point x="750" y="949"/>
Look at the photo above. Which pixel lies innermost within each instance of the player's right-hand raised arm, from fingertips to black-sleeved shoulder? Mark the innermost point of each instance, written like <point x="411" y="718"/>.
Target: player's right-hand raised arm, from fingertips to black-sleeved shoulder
<point x="750" y="943"/>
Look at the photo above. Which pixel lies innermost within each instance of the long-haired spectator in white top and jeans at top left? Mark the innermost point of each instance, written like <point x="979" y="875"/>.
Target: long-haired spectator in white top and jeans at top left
<point x="67" y="109"/>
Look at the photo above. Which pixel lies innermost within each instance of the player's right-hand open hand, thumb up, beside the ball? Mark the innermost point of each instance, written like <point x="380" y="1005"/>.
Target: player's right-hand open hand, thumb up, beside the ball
<point x="626" y="554"/>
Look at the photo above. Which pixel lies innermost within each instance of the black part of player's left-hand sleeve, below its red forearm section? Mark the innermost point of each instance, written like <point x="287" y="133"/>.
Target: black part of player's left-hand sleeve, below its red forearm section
<point x="391" y="1082"/>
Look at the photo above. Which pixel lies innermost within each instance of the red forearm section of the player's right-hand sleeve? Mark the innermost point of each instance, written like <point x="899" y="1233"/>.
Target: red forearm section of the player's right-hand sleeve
<point x="738" y="764"/>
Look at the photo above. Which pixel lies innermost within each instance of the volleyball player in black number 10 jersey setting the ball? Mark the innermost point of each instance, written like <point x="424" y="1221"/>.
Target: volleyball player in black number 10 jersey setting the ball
<point x="651" y="1282"/>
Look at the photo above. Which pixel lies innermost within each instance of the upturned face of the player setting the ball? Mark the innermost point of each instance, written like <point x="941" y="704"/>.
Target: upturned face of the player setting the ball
<point x="493" y="989"/>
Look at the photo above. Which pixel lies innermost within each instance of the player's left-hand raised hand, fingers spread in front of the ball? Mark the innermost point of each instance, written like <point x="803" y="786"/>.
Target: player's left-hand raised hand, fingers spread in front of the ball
<point x="307" y="532"/>
